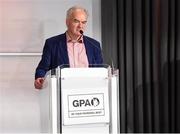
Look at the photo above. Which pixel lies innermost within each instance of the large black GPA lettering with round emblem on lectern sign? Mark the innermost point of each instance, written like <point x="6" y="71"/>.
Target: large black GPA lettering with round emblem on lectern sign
<point x="86" y="102"/>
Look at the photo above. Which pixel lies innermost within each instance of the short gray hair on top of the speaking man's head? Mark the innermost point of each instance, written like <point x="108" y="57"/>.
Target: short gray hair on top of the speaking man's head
<point x="74" y="8"/>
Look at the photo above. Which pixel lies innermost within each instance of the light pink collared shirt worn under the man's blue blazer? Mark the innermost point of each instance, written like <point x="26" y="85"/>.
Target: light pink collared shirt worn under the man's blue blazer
<point x="76" y="53"/>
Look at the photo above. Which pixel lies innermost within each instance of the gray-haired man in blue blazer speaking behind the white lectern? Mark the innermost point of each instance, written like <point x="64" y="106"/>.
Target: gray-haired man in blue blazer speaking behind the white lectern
<point x="71" y="48"/>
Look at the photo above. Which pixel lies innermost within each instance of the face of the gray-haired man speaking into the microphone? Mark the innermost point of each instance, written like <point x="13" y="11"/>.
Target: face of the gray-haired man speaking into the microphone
<point x="76" y="22"/>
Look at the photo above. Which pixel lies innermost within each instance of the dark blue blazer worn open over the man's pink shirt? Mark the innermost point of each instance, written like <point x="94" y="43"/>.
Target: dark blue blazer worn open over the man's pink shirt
<point x="55" y="54"/>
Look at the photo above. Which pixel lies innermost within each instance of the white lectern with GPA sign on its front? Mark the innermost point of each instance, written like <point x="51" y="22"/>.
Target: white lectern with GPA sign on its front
<point x="82" y="100"/>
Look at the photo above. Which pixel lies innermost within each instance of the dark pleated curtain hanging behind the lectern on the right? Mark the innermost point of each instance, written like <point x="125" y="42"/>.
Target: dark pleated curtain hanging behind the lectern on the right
<point x="142" y="39"/>
